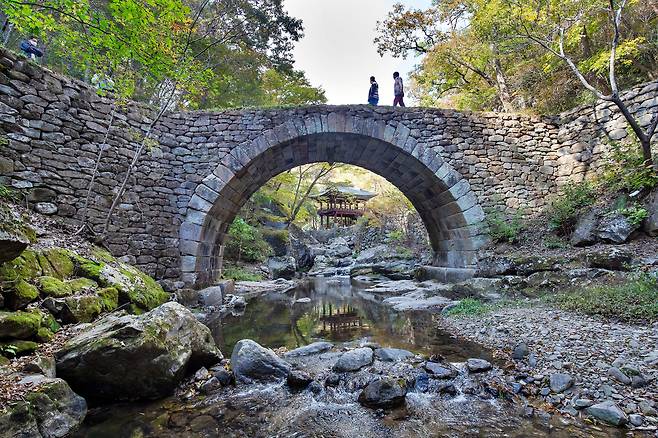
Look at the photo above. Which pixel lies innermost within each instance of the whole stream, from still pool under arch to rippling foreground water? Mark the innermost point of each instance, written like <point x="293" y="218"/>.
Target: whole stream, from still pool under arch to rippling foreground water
<point x="341" y="311"/>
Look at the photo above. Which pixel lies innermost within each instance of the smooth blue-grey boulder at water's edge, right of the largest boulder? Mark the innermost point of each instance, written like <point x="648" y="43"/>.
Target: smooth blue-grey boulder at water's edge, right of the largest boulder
<point x="250" y="361"/>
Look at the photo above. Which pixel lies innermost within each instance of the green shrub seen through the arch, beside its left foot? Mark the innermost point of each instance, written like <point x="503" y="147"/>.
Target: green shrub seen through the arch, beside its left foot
<point x="245" y="243"/>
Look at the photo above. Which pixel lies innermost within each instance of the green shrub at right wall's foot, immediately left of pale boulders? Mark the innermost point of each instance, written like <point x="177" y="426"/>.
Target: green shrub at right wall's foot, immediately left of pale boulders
<point x="571" y="201"/>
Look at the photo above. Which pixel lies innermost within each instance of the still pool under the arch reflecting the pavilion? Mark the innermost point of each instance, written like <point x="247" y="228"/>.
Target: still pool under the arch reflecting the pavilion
<point x="340" y="310"/>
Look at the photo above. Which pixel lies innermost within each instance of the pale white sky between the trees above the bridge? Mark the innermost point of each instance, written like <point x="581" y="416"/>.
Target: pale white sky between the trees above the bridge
<point x="337" y="51"/>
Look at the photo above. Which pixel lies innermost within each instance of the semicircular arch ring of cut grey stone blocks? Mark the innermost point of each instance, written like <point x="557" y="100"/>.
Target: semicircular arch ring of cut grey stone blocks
<point x="449" y="208"/>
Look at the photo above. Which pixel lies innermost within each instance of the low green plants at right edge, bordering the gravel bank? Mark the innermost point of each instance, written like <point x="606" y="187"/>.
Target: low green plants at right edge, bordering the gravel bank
<point x="633" y="300"/>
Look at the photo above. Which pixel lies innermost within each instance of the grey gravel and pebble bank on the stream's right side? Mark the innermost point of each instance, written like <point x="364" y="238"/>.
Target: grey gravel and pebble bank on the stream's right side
<point x="573" y="361"/>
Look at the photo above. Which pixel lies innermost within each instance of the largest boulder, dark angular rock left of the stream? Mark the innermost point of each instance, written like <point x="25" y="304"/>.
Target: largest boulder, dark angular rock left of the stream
<point x="127" y="357"/>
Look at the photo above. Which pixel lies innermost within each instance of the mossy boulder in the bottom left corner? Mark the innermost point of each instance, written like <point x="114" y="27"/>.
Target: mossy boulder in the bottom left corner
<point x="50" y="409"/>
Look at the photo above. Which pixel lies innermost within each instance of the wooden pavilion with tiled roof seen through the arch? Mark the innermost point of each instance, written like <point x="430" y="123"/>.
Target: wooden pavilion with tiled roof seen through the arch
<point x="340" y="205"/>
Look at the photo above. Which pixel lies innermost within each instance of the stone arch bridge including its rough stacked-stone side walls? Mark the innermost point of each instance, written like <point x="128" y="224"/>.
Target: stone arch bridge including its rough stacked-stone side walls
<point x="185" y="192"/>
